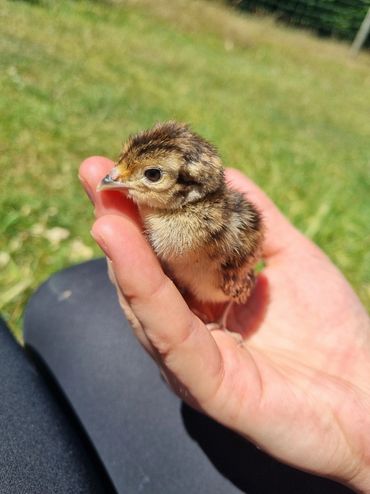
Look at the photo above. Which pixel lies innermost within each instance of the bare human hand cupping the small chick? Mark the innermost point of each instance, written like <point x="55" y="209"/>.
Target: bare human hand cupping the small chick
<point x="298" y="385"/>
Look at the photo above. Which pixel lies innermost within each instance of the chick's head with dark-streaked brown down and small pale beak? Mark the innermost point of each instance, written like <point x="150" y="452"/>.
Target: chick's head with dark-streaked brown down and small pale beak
<point x="166" y="167"/>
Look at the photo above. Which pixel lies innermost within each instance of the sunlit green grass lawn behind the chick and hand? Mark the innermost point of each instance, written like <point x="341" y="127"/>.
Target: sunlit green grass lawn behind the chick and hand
<point x="76" y="77"/>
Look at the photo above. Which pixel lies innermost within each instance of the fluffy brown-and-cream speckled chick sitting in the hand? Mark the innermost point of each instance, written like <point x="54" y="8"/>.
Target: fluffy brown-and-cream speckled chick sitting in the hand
<point x="207" y="237"/>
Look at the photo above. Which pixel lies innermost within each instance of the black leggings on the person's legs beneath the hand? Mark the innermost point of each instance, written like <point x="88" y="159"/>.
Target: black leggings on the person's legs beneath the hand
<point x="148" y="441"/>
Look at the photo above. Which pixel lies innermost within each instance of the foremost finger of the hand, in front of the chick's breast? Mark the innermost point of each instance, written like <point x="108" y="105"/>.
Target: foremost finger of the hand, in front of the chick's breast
<point x="186" y="347"/>
